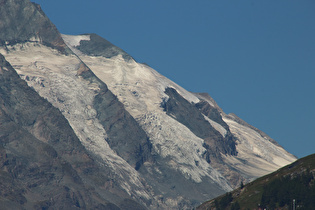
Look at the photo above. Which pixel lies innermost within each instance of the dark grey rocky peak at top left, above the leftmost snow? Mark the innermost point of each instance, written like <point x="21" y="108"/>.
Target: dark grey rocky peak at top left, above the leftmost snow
<point x="23" y="21"/>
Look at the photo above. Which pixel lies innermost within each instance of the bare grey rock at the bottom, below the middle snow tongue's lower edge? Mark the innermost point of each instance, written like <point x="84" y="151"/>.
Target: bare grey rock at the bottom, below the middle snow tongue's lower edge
<point x="173" y="185"/>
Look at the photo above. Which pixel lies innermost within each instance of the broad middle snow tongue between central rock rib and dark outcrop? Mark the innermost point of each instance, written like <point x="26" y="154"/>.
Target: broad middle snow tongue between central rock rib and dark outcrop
<point x="141" y="90"/>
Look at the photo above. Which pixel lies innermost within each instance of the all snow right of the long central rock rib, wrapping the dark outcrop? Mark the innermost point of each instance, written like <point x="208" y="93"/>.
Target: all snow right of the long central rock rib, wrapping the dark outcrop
<point x="142" y="90"/>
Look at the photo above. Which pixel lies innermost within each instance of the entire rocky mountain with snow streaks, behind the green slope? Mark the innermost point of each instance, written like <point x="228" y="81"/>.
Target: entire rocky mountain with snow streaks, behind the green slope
<point x="117" y="133"/>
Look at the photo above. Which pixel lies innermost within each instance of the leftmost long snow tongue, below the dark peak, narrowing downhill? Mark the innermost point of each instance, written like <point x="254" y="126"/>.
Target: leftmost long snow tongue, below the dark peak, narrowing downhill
<point x="55" y="79"/>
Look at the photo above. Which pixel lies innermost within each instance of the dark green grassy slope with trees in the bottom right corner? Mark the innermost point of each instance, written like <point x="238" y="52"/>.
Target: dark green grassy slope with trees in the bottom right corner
<point x="291" y="185"/>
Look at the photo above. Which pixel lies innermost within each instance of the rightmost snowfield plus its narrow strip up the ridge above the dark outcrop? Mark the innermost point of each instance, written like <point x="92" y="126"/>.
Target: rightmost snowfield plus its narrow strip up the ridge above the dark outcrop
<point x="258" y="154"/>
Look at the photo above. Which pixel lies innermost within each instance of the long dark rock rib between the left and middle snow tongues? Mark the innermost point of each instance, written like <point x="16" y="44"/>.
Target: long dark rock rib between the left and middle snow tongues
<point x="125" y="136"/>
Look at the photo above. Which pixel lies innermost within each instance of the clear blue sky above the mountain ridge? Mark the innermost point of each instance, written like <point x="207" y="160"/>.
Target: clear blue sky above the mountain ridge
<point x="255" y="58"/>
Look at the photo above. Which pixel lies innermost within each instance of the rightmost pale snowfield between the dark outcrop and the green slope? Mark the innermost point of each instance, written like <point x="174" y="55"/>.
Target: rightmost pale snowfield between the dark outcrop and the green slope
<point x="261" y="156"/>
